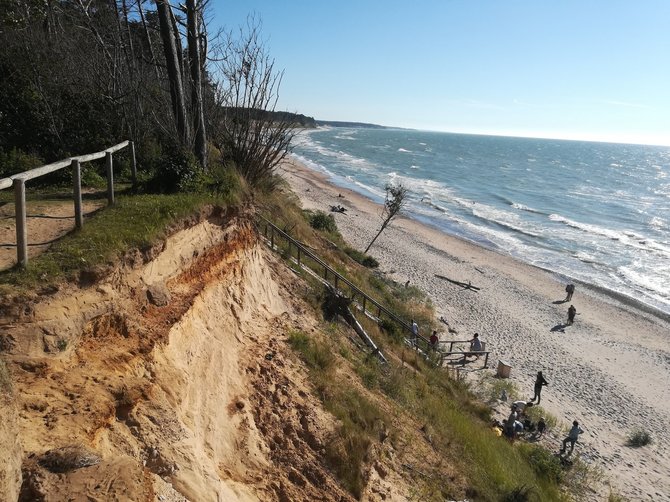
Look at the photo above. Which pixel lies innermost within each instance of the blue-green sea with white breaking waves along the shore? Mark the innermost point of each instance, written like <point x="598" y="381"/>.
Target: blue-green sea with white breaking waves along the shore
<point x="592" y="212"/>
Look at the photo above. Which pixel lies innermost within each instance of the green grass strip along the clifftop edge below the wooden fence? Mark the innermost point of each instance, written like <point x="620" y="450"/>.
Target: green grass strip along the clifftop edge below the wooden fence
<point x="133" y="222"/>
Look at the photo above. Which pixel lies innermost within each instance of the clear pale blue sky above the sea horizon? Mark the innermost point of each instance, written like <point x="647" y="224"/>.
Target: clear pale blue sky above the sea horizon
<point x="588" y="69"/>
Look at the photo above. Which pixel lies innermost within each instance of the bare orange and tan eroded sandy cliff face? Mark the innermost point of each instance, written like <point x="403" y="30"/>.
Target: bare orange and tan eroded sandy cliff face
<point x="197" y="399"/>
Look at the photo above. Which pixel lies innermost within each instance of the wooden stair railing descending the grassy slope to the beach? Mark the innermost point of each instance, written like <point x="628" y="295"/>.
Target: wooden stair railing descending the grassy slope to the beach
<point x="420" y="343"/>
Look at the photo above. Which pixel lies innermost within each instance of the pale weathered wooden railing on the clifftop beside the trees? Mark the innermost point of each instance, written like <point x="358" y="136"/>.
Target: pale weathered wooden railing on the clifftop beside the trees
<point x="18" y="181"/>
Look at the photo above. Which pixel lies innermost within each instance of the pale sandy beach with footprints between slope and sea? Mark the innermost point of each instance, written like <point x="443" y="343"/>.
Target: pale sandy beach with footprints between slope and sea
<point x="610" y="370"/>
